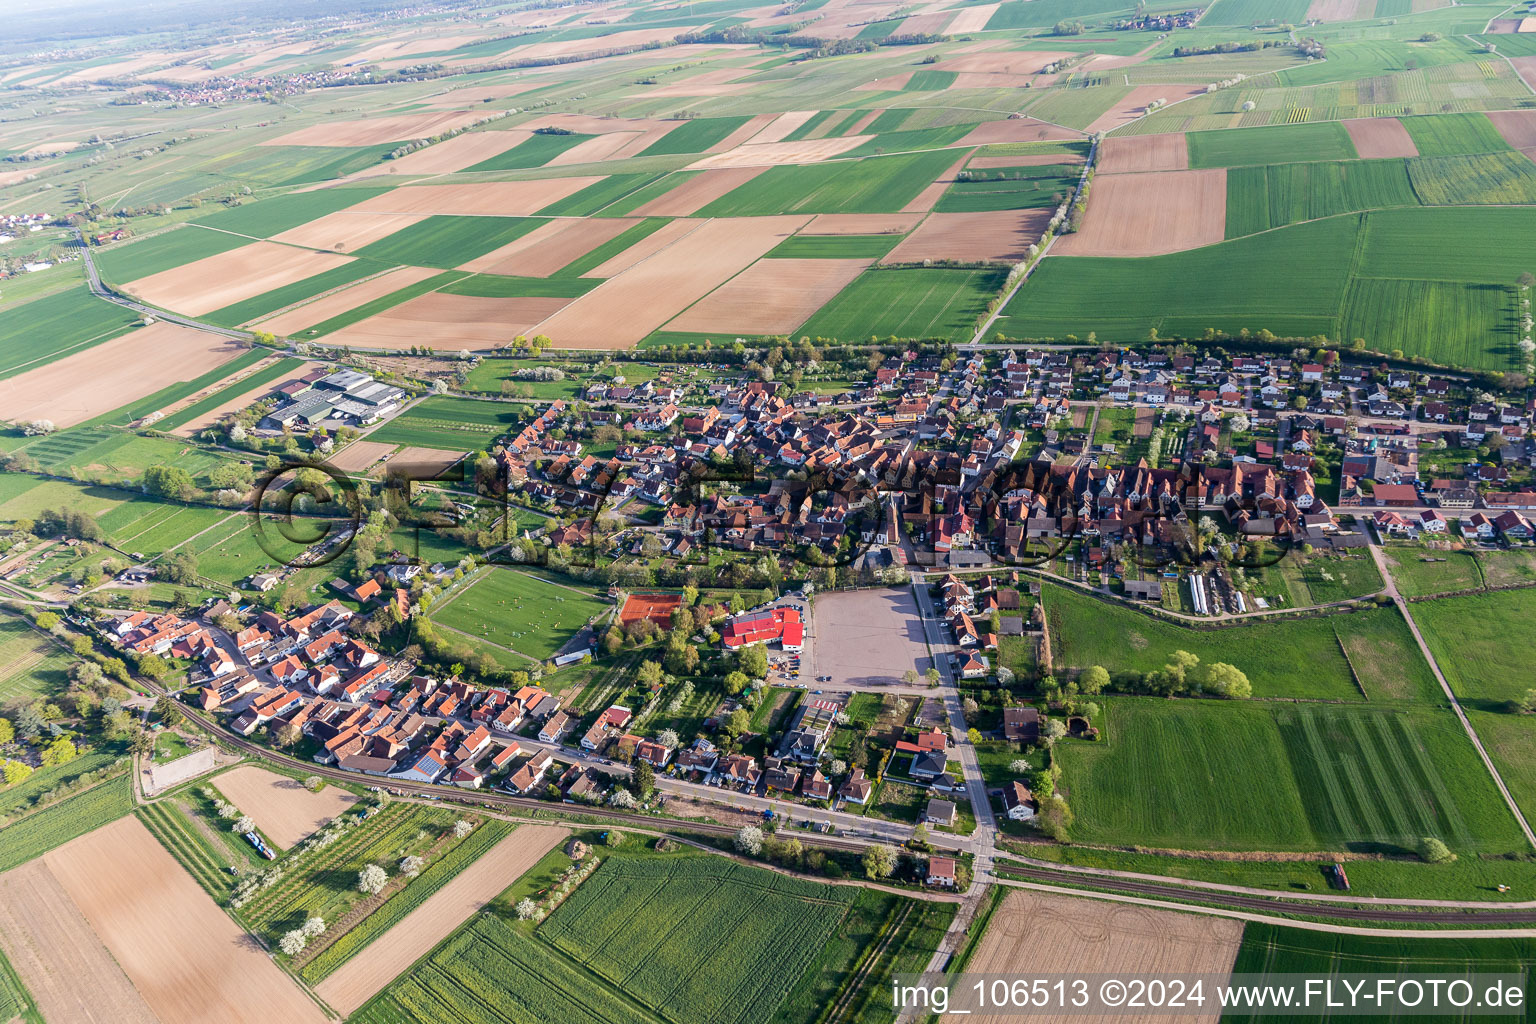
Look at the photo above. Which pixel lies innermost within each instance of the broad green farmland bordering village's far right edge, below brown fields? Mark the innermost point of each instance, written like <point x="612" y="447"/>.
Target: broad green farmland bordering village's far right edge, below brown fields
<point x="1435" y="283"/>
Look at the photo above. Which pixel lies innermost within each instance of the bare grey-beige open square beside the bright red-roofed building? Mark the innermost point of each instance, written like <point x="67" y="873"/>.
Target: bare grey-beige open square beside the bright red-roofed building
<point x="869" y="638"/>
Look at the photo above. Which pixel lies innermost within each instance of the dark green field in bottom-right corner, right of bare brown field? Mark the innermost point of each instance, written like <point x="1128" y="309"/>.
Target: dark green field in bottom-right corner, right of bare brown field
<point x="1271" y="950"/>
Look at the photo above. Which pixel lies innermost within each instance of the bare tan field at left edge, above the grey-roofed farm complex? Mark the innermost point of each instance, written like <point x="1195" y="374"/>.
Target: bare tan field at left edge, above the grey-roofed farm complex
<point x="114" y="374"/>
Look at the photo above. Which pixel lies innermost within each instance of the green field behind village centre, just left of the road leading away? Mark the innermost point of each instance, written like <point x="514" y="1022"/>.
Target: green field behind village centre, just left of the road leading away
<point x="907" y="303"/>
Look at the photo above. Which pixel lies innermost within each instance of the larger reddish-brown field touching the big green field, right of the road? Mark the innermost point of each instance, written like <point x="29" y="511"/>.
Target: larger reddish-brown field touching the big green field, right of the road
<point x="1151" y="214"/>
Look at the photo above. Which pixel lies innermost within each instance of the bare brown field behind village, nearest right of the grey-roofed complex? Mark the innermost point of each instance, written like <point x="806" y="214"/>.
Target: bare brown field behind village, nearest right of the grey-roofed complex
<point x="449" y="322"/>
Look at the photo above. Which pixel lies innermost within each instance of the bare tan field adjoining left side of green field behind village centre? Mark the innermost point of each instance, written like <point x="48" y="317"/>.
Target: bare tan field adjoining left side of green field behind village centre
<point x="772" y="297"/>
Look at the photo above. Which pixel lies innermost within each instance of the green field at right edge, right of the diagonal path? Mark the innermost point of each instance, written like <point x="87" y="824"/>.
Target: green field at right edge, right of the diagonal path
<point x="1472" y="641"/>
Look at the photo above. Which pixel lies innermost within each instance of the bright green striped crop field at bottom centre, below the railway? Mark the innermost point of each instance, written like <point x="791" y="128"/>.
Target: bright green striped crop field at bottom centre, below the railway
<point x="652" y="928"/>
